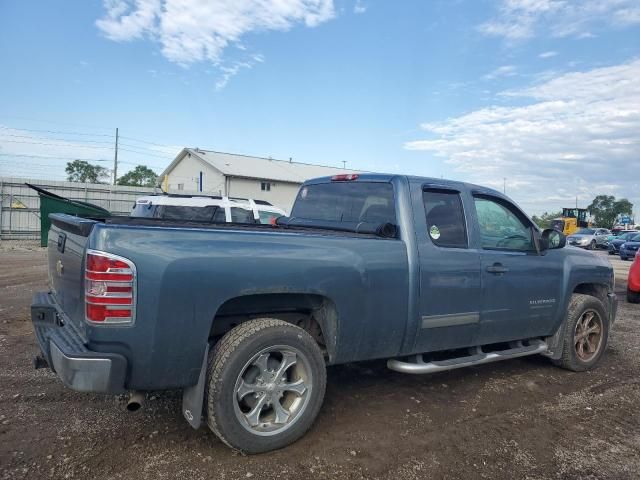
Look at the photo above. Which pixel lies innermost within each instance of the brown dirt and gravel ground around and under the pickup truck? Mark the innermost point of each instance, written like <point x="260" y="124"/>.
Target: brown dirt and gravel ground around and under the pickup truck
<point x="517" y="419"/>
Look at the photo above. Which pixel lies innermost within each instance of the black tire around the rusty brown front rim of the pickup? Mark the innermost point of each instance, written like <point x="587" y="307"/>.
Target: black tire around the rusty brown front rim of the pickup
<point x="582" y="304"/>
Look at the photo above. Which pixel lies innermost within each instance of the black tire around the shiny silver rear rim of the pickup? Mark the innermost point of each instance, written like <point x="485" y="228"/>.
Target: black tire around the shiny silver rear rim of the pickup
<point x="232" y="358"/>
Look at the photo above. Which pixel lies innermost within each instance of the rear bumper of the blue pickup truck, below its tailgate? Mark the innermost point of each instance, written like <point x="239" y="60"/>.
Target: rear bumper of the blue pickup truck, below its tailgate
<point x="65" y="349"/>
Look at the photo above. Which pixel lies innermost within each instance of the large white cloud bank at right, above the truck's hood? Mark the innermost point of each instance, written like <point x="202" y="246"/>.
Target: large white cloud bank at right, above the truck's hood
<point x="577" y="134"/>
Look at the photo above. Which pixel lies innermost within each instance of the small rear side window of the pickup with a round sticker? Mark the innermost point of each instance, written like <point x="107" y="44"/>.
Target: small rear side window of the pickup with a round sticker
<point x="445" y="218"/>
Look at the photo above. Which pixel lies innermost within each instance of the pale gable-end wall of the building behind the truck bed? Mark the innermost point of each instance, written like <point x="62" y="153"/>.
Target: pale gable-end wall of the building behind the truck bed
<point x="185" y="176"/>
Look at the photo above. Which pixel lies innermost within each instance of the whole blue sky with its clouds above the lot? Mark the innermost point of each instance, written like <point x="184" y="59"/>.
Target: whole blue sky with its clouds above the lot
<point x="544" y="93"/>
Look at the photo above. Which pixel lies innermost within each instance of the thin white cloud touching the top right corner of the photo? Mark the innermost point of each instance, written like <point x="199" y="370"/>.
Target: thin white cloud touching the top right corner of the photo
<point x="523" y="19"/>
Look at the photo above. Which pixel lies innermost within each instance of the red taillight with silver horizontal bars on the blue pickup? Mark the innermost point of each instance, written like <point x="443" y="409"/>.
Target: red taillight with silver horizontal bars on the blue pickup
<point x="109" y="288"/>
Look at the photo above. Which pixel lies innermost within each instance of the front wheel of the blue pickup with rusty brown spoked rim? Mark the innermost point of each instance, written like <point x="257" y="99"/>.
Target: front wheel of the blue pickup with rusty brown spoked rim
<point x="586" y="333"/>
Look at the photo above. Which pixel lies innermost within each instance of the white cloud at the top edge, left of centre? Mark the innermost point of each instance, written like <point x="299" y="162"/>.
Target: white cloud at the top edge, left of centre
<point x="192" y="31"/>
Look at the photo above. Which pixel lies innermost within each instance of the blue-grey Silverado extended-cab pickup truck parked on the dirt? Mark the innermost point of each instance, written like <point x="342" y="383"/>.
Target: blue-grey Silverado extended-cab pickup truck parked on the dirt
<point x="427" y="273"/>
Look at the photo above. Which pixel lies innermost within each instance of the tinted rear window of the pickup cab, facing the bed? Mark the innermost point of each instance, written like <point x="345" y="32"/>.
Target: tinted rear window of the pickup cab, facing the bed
<point x="346" y="202"/>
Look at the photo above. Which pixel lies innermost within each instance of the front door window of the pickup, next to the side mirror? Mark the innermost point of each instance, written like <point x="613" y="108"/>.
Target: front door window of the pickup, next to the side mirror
<point x="501" y="227"/>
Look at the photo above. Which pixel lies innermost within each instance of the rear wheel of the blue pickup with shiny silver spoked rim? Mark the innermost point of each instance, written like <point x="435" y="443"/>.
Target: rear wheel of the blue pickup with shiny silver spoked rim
<point x="266" y="383"/>
